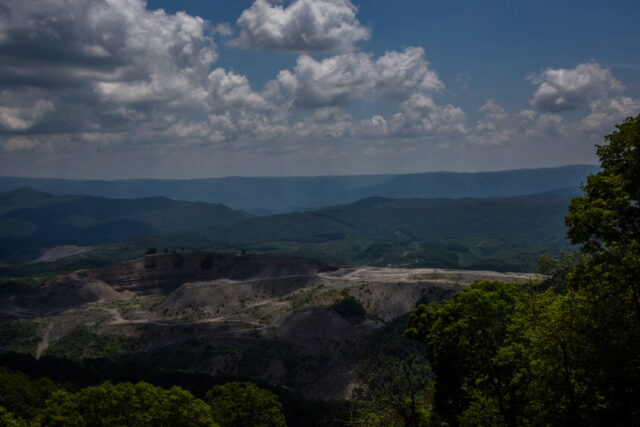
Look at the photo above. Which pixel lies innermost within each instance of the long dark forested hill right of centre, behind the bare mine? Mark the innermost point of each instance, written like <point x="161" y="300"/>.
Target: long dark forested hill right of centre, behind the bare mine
<point x="530" y="218"/>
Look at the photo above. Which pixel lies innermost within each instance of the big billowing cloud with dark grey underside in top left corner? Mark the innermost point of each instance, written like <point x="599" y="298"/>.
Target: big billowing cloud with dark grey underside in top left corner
<point x="76" y="42"/>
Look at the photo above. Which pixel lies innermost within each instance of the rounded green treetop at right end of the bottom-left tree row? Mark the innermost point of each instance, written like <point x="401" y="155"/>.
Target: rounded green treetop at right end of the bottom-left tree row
<point x="239" y="404"/>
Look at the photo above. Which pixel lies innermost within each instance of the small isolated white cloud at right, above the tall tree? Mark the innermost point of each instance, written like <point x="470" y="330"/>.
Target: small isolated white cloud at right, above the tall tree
<point x="569" y="89"/>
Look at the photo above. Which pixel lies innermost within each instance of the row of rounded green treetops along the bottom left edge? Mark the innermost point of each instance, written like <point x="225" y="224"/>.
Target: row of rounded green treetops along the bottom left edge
<point x="40" y="402"/>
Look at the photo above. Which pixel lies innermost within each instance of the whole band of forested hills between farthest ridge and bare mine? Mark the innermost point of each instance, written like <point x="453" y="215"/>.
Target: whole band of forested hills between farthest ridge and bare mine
<point x="505" y="234"/>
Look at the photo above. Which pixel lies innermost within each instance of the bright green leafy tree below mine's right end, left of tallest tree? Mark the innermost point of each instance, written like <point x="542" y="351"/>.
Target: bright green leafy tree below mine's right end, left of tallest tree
<point x="464" y="337"/>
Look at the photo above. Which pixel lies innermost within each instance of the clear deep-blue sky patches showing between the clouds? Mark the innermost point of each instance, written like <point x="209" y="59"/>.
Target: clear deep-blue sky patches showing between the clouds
<point x="490" y="47"/>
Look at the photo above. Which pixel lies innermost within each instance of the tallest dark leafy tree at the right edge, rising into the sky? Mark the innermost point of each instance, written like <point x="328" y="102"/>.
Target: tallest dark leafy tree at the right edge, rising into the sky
<point x="606" y="285"/>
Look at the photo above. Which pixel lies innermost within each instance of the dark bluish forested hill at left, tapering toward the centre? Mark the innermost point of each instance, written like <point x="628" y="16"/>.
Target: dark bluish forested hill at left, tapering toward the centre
<point x="31" y="220"/>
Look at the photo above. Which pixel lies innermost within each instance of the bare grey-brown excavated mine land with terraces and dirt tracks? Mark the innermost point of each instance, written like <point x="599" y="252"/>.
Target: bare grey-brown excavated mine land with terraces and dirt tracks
<point x="259" y="317"/>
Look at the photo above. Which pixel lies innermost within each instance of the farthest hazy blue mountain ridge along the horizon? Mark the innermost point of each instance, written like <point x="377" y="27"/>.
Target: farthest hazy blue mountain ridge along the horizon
<point x="284" y="194"/>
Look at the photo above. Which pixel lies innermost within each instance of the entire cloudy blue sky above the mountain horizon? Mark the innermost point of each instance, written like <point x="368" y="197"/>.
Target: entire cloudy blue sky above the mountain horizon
<point x="118" y="89"/>
